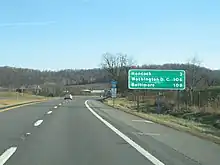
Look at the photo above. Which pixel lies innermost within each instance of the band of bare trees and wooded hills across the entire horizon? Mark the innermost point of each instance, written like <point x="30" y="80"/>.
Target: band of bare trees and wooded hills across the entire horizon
<point x="114" y="66"/>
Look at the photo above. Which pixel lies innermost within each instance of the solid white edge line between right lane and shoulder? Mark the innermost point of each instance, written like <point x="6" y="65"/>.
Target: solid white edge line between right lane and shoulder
<point x="141" y="150"/>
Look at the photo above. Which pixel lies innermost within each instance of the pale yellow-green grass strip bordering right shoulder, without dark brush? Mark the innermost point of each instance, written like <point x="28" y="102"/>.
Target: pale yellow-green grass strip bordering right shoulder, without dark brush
<point x="206" y="131"/>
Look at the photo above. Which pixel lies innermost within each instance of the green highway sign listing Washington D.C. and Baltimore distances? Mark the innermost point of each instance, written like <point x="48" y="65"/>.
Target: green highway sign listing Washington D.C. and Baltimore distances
<point x="156" y="79"/>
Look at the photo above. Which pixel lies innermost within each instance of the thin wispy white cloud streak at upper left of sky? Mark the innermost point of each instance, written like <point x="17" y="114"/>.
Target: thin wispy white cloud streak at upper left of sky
<point x="26" y="24"/>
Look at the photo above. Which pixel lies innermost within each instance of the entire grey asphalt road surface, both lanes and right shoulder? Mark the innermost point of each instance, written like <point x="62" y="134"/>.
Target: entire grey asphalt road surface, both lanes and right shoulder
<point x="86" y="132"/>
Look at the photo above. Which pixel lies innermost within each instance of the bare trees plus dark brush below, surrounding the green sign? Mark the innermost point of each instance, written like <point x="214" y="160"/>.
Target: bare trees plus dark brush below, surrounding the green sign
<point x="202" y="84"/>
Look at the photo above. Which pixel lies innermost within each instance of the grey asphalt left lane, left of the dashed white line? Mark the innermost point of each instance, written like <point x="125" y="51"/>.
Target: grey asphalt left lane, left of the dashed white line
<point x="16" y="123"/>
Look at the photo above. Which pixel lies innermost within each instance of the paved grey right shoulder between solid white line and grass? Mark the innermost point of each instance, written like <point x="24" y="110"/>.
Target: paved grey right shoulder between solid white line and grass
<point x="193" y="147"/>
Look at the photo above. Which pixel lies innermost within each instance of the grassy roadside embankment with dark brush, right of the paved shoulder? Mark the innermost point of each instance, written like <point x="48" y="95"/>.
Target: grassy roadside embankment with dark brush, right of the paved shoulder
<point x="204" y="125"/>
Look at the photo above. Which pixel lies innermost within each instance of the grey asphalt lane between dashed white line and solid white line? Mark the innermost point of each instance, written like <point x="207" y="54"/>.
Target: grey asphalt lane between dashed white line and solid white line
<point x="72" y="135"/>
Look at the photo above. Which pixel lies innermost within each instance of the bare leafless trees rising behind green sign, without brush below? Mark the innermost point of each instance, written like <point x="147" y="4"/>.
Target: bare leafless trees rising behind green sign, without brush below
<point x="197" y="77"/>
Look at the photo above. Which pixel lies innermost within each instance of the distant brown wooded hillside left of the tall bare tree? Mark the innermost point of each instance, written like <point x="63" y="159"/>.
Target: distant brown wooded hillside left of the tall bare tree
<point x="15" y="77"/>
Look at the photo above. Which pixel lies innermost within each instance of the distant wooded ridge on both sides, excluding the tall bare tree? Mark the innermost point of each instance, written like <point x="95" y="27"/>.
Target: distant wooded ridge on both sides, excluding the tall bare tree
<point x="11" y="77"/>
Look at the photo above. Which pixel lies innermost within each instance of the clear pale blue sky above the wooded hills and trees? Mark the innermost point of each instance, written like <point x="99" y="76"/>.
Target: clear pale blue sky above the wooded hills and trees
<point x="58" y="34"/>
